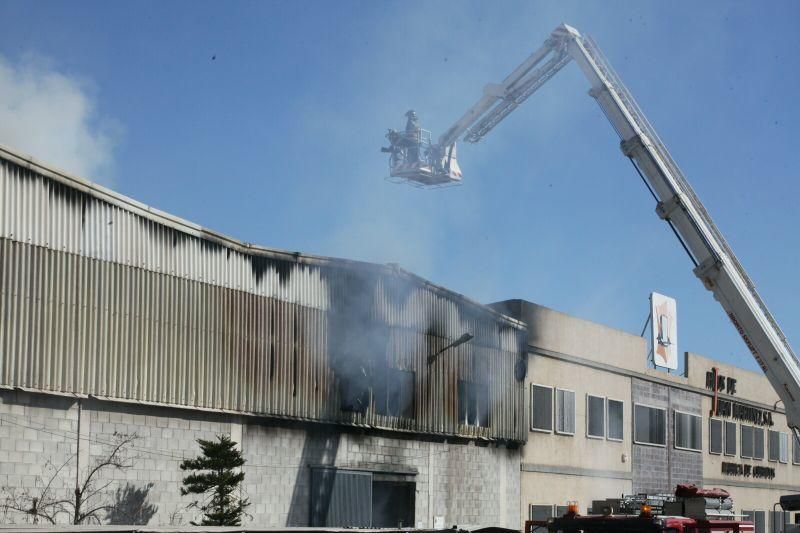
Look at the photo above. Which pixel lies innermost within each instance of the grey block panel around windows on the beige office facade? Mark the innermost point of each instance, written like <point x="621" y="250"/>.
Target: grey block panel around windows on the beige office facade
<point x="659" y="469"/>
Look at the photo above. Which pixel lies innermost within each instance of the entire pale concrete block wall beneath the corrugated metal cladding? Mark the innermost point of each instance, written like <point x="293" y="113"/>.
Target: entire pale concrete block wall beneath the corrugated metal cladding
<point x="462" y="483"/>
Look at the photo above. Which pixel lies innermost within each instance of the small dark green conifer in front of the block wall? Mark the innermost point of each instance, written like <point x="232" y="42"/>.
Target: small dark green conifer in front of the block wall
<point x="215" y="474"/>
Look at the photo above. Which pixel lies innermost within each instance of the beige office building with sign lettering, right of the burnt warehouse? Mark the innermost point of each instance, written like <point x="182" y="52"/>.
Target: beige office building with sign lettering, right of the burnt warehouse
<point x="603" y="422"/>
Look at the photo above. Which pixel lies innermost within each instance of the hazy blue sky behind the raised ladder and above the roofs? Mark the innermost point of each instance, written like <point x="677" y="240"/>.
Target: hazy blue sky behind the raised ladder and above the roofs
<point x="263" y="120"/>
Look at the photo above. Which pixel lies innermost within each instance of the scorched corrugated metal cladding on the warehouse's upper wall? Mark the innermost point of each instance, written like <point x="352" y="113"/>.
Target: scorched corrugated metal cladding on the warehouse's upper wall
<point x="102" y="297"/>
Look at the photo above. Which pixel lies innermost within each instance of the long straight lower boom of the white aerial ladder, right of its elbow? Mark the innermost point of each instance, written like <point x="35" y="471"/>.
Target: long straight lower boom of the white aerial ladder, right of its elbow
<point x="678" y="204"/>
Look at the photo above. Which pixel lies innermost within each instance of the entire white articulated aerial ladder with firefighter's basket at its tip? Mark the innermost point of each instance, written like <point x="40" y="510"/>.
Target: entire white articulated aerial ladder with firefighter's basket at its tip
<point x="416" y="160"/>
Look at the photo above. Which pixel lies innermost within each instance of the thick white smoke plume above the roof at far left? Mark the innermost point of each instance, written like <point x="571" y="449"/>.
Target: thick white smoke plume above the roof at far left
<point x="51" y="116"/>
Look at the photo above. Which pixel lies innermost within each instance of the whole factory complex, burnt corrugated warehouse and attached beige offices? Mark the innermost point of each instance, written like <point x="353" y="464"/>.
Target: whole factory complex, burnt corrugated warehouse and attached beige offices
<point x="359" y="394"/>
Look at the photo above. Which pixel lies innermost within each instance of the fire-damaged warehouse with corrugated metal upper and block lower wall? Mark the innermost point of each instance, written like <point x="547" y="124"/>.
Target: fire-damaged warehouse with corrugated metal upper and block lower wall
<point x="120" y="319"/>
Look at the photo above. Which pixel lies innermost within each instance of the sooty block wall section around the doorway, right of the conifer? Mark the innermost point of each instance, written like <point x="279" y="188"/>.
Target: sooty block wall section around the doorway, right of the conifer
<point x="462" y="483"/>
